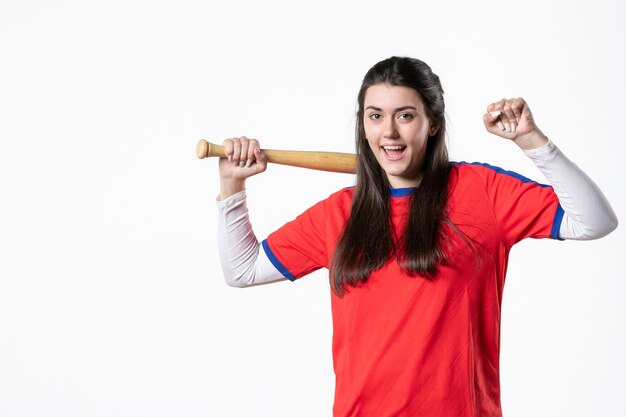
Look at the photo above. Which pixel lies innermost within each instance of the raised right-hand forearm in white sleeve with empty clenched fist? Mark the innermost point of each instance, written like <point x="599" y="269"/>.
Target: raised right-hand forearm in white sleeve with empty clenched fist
<point x="588" y="214"/>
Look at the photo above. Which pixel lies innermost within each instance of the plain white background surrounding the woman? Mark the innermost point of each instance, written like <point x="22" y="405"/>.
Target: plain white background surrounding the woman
<point x="112" y="301"/>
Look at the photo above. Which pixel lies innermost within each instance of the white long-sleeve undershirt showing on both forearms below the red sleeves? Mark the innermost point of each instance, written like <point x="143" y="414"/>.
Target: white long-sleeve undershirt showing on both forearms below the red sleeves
<point x="587" y="215"/>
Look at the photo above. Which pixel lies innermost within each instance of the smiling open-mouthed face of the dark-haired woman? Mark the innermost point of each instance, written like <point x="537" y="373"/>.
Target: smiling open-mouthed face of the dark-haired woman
<point x="396" y="128"/>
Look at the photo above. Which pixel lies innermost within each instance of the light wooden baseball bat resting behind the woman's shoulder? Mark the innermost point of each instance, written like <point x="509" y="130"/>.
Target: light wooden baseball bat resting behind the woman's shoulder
<point x="322" y="161"/>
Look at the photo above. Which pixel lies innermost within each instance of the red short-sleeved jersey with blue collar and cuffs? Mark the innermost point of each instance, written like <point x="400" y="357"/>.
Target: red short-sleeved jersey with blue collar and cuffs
<point x="408" y="346"/>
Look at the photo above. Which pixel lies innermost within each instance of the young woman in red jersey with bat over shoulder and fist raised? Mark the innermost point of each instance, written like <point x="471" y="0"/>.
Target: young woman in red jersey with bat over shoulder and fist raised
<point x="418" y="250"/>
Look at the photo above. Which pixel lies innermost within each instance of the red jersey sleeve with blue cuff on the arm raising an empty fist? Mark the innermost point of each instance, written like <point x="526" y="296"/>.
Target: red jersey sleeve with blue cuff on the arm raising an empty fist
<point x="523" y="208"/>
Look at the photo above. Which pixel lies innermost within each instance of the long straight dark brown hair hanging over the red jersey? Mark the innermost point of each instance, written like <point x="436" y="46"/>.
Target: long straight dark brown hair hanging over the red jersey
<point x="368" y="240"/>
